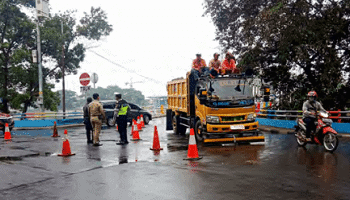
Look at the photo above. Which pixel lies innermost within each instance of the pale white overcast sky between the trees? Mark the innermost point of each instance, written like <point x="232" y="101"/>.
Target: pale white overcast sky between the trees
<point x="156" y="38"/>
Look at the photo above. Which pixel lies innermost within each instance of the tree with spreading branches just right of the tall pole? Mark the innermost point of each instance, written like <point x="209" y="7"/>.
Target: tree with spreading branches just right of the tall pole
<point x="66" y="49"/>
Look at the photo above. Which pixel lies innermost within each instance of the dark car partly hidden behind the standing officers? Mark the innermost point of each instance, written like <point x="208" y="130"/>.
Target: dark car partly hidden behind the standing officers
<point x="135" y="111"/>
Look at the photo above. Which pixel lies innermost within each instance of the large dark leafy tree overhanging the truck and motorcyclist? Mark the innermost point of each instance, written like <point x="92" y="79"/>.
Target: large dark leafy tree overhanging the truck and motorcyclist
<point x="299" y="45"/>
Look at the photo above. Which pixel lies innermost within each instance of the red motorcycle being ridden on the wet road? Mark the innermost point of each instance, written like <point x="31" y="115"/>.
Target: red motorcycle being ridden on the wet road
<point x="323" y="135"/>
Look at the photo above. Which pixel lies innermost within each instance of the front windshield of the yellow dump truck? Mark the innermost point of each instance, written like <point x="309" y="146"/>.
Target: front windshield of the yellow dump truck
<point x="231" y="89"/>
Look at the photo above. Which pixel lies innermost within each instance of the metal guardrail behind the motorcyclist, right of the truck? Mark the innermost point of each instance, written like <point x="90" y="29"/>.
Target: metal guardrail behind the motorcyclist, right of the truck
<point x="336" y="115"/>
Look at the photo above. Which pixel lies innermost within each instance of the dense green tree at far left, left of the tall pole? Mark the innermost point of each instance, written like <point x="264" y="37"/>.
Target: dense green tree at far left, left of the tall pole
<point x="18" y="78"/>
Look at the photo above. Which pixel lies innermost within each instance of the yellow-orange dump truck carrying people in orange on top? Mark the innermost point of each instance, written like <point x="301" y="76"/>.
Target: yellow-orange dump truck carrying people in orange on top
<point x="220" y="109"/>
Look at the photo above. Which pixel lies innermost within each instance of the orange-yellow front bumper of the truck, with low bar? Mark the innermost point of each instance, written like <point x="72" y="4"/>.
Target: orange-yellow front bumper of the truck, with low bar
<point x="223" y="133"/>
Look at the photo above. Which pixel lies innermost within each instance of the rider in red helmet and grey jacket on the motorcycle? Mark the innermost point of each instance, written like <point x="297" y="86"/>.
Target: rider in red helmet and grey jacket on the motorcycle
<point x="310" y="109"/>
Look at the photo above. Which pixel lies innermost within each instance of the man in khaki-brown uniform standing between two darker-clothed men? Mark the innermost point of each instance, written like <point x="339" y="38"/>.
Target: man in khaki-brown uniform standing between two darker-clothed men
<point x="96" y="116"/>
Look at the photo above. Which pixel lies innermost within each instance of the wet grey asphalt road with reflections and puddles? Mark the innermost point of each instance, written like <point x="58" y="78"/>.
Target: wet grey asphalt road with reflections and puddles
<point x="277" y="169"/>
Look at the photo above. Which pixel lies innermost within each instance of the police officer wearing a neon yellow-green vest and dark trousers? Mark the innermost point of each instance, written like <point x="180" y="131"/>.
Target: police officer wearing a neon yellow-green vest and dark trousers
<point x="122" y="109"/>
